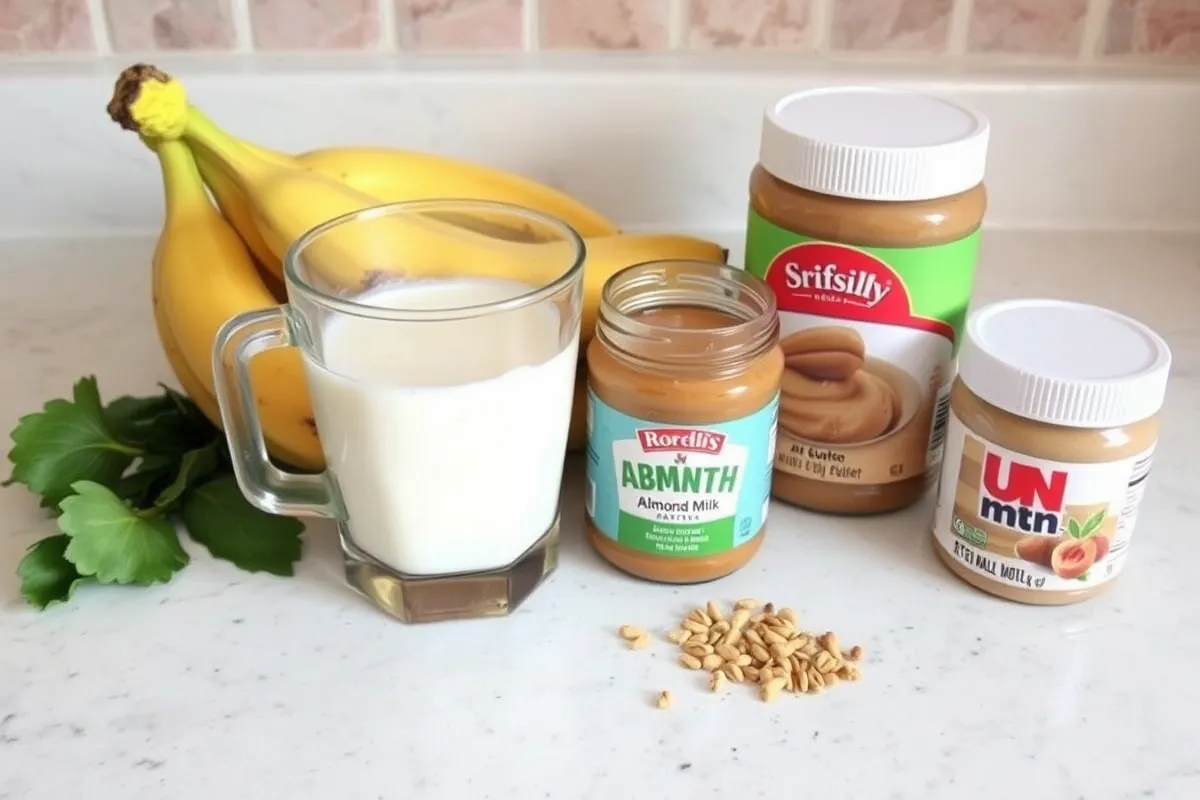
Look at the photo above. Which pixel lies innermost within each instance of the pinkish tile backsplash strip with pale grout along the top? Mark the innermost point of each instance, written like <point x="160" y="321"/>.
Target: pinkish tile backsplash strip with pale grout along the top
<point x="1046" y="31"/>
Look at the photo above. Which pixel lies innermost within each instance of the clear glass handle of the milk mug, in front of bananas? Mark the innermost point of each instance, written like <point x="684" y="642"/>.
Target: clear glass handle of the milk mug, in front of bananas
<point x="266" y="486"/>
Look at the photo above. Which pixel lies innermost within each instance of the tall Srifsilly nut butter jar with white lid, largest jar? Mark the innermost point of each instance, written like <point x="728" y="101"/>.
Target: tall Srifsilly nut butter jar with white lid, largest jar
<point x="865" y="220"/>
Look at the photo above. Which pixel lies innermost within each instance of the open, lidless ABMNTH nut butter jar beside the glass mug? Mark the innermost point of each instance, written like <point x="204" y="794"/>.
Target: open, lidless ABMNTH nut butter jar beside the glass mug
<point x="683" y="395"/>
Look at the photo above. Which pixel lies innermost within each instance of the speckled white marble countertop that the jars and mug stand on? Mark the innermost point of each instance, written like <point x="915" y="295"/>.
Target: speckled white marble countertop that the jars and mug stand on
<point x="225" y="684"/>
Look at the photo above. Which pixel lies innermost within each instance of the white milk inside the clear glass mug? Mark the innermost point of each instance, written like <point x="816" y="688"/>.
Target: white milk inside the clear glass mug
<point x="446" y="440"/>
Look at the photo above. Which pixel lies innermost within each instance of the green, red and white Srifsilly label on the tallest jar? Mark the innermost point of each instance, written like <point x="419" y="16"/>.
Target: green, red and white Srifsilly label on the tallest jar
<point x="869" y="336"/>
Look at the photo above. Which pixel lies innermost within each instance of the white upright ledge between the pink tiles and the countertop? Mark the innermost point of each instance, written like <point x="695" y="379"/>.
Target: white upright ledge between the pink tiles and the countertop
<point x="662" y="141"/>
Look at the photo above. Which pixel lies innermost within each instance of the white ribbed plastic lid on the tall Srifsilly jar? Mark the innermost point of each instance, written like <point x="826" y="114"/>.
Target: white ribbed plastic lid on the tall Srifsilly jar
<point x="874" y="145"/>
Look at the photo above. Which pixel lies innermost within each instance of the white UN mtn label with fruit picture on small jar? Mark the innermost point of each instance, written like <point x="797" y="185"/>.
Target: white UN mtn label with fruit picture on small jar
<point x="1033" y="524"/>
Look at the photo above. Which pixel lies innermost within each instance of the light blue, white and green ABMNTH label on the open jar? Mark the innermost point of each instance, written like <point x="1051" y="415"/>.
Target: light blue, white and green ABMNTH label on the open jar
<point x="679" y="490"/>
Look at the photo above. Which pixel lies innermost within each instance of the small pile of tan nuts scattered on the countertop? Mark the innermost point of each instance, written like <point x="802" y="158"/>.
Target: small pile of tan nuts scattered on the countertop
<point x="755" y="645"/>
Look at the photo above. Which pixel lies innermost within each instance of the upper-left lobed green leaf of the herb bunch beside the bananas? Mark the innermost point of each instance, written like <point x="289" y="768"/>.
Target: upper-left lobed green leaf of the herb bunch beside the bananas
<point x="68" y="442"/>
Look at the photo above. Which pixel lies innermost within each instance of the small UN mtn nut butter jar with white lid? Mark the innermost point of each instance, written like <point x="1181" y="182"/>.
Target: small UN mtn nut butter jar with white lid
<point x="1054" y="420"/>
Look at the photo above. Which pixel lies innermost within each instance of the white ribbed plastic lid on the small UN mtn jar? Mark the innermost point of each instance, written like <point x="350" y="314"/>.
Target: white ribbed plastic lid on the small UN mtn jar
<point x="1065" y="363"/>
